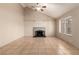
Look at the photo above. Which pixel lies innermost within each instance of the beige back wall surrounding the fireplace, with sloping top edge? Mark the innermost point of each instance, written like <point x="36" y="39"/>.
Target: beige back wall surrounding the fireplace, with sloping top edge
<point x="37" y="19"/>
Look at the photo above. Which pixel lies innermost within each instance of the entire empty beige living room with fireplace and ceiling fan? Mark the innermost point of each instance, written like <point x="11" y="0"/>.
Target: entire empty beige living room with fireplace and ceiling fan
<point x="39" y="28"/>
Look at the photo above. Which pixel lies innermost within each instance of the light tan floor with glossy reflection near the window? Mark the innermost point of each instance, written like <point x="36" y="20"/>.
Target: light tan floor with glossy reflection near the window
<point x="38" y="46"/>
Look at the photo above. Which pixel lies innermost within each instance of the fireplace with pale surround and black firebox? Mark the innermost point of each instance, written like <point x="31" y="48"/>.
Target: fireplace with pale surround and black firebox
<point x="39" y="32"/>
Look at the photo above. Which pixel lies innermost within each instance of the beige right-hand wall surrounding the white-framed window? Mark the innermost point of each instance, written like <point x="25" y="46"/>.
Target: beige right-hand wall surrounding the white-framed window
<point x="74" y="39"/>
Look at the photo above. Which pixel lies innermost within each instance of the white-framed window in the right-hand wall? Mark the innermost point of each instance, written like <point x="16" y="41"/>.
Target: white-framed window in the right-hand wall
<point x="65" y="25"/>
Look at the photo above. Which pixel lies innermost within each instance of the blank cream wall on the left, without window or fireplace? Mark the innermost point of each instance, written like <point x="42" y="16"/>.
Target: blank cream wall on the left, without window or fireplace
<point x="11" y="23"/>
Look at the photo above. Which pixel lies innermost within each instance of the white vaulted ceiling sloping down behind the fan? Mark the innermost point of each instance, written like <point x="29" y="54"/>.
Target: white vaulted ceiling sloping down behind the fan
<point x="54" y="10"/>
